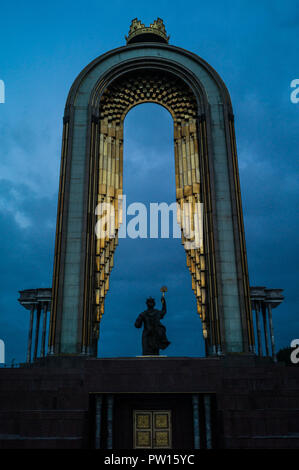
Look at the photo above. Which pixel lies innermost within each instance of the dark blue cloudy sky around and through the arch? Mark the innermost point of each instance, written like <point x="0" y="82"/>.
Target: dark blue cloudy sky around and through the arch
<point x="44" y="45"/>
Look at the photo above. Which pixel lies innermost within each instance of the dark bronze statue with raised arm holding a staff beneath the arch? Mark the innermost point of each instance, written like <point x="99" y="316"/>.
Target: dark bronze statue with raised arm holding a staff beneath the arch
<point x="154" y="333"/>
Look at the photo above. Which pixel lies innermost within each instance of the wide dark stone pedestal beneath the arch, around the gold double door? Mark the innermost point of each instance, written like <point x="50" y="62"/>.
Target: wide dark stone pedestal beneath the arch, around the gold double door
<point x="229" y="402"/>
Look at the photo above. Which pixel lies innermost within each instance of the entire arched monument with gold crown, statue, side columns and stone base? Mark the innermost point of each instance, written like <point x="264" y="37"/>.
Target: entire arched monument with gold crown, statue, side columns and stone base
<point x="70" y="397"/>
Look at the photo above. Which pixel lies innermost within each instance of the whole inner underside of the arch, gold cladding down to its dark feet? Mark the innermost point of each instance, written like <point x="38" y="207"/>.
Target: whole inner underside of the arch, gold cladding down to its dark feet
<point x="117" y="99"/>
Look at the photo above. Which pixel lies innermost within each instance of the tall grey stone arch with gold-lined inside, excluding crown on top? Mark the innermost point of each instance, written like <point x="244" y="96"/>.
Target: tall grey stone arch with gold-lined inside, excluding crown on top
<point x="206" y="171"/>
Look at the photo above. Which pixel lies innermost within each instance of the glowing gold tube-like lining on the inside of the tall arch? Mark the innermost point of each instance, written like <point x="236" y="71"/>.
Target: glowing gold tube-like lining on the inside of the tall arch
<point x="117" y="99"/>
